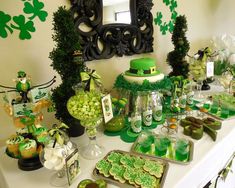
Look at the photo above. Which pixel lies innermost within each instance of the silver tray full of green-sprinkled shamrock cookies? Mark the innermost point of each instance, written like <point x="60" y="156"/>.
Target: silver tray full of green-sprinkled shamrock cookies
<point x="126" y="170"/>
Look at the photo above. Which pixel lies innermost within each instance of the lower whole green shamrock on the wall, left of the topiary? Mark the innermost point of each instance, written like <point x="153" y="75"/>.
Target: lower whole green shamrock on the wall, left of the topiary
<point x="24" y="27"/>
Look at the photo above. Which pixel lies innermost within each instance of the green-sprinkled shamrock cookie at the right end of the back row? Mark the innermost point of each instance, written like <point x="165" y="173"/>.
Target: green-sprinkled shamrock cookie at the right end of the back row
<point x="154" y="168"/>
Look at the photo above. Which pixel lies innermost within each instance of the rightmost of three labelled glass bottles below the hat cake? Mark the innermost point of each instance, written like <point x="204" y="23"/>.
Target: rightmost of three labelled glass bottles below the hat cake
<point x="157" y="106"/>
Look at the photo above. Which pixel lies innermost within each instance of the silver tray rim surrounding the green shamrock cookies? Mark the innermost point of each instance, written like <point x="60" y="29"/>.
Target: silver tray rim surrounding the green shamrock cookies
<point x="127" y="185"/>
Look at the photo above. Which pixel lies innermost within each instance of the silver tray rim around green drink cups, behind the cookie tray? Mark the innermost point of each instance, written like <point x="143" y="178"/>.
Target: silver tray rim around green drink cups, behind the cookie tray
<point x="190" y="158"/>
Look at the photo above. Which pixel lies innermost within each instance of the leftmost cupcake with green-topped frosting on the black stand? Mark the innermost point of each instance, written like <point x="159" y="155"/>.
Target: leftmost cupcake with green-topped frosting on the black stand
<point x="13" y="144"/>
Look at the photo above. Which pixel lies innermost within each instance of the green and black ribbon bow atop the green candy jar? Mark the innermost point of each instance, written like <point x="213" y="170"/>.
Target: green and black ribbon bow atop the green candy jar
<point x="91" y="79"/>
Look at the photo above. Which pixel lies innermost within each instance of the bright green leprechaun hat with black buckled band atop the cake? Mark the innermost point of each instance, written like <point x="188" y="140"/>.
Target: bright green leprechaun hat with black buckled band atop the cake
<point x="142" y="67"/>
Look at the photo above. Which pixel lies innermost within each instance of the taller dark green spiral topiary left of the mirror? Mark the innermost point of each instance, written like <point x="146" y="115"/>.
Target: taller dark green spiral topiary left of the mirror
<point x="66" y="62"/>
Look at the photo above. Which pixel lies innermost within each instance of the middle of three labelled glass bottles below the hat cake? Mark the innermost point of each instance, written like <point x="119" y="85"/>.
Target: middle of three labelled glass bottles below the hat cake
<point x="147" y="112"/>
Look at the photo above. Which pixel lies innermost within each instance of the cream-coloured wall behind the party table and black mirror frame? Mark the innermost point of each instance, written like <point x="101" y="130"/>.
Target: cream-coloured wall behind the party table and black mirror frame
<point x="205" y="19"/>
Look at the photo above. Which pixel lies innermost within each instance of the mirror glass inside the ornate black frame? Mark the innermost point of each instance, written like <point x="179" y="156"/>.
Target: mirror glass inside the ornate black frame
<point x="116" y="11"/>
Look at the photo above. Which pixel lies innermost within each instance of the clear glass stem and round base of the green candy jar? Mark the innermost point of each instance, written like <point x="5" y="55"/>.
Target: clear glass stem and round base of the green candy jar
<point x="92" y="150"/>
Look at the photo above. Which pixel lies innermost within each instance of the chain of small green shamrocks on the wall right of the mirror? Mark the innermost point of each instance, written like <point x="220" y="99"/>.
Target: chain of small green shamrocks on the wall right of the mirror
<point x="167" y="26"/>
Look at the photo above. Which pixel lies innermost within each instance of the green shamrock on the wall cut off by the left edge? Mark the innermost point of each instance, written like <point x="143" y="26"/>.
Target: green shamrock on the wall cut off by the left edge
<point x="4" y="19"/>
